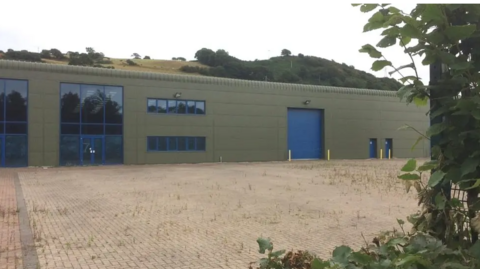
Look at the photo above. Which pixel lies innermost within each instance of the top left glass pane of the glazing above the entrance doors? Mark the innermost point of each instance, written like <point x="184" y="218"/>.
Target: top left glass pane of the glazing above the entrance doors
<point x="70" y="102"/>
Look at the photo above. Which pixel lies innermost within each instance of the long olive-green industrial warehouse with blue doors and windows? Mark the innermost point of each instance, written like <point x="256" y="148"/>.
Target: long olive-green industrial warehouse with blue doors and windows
<point x="53" y="115"/>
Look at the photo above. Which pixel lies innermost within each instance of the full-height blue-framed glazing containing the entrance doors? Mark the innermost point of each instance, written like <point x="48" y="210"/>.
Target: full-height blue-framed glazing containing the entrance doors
<point x="91" y="124"/>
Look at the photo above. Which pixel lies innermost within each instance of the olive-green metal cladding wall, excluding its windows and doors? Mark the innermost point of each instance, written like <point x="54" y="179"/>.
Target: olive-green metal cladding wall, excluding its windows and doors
<point x="244" y="121"/>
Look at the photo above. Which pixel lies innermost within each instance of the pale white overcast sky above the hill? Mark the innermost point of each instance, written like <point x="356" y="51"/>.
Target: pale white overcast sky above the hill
<point x="247" y="29"/>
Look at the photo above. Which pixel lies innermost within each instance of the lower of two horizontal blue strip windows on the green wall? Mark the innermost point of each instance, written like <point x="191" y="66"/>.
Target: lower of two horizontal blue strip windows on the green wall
<point x="175" y="143"/>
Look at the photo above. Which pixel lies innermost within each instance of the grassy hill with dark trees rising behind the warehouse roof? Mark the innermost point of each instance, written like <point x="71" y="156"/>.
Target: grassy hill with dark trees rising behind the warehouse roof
<point x="298" y="69"/>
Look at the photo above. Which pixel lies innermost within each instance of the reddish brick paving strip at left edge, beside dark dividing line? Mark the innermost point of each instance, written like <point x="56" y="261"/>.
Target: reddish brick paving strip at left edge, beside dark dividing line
<point x="10" y="247"/>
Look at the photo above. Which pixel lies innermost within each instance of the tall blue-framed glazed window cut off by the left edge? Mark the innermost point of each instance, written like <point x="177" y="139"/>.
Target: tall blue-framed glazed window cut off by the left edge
<point x="13" y="123"/>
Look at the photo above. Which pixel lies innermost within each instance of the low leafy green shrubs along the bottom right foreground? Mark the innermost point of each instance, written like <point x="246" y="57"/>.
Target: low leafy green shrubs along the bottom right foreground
<point x="395" y="251"/>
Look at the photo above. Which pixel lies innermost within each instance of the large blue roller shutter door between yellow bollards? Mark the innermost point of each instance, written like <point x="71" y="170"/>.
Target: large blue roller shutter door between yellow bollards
<point x="305" y="133"/>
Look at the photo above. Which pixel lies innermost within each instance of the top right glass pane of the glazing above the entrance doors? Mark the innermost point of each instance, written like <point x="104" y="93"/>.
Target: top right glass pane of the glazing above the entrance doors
<point x="113" y="104"/>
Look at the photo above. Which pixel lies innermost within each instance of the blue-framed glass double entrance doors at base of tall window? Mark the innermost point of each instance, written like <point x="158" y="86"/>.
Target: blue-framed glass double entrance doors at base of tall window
<point x="92" y="152"/>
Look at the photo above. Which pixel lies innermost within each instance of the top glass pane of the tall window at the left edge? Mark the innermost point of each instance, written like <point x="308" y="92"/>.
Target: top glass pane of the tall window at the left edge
<point x="16" y="100"/>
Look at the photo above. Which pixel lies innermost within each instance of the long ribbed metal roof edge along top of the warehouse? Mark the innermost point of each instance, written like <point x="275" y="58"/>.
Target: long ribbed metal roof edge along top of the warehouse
<point x="95" y="71"/>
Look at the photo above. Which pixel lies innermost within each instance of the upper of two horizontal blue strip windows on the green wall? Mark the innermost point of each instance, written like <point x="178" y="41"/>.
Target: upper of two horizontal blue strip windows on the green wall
<point x="173" y="106"/>
